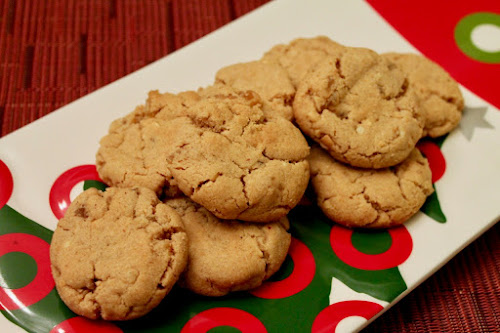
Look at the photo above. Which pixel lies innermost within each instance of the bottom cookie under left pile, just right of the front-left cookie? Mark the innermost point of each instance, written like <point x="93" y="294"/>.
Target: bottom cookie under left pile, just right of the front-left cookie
<point x="229" y="255"/>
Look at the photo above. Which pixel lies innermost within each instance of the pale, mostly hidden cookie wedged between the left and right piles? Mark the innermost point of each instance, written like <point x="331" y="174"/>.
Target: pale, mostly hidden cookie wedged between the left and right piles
<point x="269" y="80"/>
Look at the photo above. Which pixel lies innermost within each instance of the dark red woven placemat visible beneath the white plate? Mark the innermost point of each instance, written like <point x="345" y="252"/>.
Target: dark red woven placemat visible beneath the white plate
<point x="53" y="52"/>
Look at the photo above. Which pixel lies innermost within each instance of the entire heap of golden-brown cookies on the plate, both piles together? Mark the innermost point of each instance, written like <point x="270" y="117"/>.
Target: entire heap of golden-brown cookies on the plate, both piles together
<point x="200" y="183"/>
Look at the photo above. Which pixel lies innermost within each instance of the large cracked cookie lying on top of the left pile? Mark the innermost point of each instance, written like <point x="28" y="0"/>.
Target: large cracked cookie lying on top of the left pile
<point x="227" y="156"/>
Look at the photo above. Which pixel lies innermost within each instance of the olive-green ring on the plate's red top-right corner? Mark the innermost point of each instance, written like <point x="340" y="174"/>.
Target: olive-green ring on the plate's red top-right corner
<point x="463" y="31"/>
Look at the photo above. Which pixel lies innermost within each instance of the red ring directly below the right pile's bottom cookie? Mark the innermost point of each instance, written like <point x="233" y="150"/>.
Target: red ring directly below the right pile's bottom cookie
<point x="400" y="250"/>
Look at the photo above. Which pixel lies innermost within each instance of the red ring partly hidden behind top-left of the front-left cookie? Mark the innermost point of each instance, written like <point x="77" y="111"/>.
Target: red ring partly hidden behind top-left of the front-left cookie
<point x="59" y="193"/>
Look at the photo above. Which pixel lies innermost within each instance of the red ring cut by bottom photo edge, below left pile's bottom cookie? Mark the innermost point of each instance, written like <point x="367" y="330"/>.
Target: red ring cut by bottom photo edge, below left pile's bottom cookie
<point x="211" y="318"/>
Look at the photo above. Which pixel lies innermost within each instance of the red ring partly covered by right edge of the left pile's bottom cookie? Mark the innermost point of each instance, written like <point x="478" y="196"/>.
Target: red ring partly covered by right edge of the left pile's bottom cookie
<point x="303" y="273"/>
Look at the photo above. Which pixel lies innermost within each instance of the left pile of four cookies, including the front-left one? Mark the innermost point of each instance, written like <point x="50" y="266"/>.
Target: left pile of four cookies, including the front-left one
<point x="200" y="187"/>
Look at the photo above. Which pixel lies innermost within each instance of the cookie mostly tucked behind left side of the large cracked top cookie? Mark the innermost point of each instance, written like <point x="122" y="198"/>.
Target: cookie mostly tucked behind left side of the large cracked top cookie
<point x="127" y="158"/>
